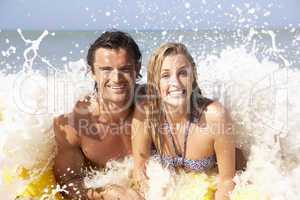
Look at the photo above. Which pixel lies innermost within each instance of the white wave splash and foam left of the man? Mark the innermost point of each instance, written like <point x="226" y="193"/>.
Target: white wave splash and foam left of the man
<point x="28" y="103"/>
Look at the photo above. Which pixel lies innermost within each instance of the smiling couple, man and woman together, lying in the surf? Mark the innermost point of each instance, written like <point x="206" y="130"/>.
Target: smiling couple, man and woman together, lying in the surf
<point x="168" y="119"/>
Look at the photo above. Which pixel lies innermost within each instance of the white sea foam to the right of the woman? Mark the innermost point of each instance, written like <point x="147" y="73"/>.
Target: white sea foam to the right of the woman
<point x="262" y="98"/>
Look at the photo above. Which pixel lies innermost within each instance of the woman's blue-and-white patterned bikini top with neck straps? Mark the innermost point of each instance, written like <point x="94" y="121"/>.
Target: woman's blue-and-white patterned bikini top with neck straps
<point x="181" y="161"/>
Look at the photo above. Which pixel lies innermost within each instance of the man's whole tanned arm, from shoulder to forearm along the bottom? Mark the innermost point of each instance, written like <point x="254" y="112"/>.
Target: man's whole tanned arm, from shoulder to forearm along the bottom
<point x="69" y="168"/>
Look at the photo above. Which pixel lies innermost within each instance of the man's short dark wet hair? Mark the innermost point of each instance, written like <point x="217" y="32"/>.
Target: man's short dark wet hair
<point x="115" y="40"/>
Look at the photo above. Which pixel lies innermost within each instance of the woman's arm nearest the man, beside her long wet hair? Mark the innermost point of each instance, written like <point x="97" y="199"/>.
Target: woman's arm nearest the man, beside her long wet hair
<point x="141" y="146"/>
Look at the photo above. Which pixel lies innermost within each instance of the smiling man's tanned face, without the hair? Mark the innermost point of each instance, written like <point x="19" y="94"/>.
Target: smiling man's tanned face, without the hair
<point x="114" y="72"/>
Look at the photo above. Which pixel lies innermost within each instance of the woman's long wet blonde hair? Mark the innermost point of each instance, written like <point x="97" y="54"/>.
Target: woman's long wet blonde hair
<point x="154" y="109"/>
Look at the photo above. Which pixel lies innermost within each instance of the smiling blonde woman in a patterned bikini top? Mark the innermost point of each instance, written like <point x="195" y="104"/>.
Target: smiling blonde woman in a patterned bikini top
<point x="187" y="130"/>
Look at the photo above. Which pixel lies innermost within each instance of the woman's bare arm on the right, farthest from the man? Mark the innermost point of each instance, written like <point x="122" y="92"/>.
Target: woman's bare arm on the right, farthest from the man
<point x="220" y="124"/>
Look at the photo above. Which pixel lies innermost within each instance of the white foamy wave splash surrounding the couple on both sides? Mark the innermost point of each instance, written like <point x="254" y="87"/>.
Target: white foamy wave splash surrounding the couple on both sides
<point x="261" y="96"/>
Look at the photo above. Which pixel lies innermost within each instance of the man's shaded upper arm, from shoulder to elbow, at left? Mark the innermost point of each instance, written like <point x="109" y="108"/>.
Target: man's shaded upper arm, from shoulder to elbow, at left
<point x="69" y="161"/>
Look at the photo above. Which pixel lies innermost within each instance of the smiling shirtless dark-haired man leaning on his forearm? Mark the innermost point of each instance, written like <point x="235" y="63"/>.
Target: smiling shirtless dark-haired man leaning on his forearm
<point x="98" y="129"/>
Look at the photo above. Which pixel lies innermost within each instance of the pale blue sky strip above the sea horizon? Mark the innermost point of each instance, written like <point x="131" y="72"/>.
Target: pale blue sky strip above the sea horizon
<point x="147" y="15"/>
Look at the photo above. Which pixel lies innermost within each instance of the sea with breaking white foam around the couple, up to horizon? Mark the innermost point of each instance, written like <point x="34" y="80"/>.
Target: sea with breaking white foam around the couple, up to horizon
<point x="253" y="72"/>
